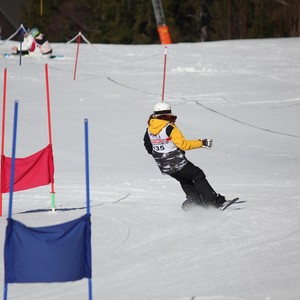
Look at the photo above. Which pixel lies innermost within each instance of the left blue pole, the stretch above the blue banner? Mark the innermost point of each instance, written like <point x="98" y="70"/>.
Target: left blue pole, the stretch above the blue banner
<point x="13" y="156"/>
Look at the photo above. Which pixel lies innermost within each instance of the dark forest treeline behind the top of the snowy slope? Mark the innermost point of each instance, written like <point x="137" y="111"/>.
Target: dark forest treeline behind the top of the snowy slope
<point x="133" y="21"/>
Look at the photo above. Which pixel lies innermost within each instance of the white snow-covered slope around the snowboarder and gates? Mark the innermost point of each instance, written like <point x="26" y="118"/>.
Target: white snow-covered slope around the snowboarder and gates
<point x="245" y="94"/>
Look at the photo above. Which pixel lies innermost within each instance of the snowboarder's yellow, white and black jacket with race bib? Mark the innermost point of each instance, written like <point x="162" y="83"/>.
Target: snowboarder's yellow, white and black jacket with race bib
<point x="165" y="142"/>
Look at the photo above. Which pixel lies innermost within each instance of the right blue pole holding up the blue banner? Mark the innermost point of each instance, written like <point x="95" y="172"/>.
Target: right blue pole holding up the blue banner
<point x="87" y="176"/>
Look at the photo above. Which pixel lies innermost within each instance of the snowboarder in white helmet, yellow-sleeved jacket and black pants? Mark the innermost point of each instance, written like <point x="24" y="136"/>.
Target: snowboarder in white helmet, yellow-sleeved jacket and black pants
<point x="165" y="142"/>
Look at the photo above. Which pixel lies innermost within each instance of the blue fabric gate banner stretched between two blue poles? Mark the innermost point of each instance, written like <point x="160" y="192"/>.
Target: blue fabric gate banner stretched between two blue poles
<point x="55" y="253"/>
